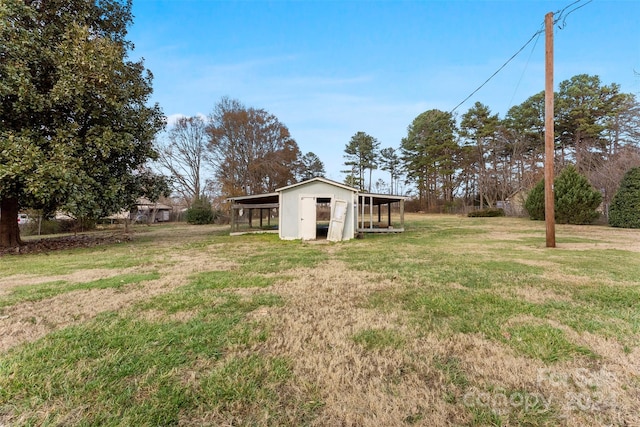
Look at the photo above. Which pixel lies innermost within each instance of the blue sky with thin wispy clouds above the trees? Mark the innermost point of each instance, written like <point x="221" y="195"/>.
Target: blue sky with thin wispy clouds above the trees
<point x="328" y="69"/>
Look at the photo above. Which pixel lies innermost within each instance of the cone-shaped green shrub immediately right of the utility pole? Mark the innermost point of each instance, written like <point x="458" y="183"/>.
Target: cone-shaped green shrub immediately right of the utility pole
<point x="575" y="198"/>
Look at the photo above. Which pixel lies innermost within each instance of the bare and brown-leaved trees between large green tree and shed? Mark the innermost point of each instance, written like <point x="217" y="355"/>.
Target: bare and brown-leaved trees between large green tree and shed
<point x="234" y="151"/>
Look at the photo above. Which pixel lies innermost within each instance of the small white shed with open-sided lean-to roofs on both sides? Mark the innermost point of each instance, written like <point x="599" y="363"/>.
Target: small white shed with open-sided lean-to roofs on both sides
<point x="300" y="211"/>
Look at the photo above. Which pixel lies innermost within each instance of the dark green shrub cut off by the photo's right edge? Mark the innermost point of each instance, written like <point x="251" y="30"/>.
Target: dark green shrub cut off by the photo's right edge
<point x="625" y="206"/>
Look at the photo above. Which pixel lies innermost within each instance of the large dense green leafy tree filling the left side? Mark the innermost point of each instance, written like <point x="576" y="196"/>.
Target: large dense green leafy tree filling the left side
<point x="74" y="124"/>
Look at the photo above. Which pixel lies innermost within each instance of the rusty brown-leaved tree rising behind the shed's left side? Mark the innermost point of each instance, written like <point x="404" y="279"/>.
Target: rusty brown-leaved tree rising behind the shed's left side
<point x="252" y="152"/>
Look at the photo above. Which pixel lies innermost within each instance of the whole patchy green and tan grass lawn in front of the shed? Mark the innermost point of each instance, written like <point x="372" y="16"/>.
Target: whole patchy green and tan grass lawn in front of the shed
<point x="457" y="321"/>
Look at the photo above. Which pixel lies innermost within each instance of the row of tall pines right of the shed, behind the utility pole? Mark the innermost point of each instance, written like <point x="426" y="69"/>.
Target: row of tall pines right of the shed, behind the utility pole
<point x="479" y="159"/>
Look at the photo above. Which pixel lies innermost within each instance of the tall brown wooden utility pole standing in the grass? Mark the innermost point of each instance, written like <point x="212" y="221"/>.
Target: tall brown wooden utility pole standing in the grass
<point x="549" y="152"/>
